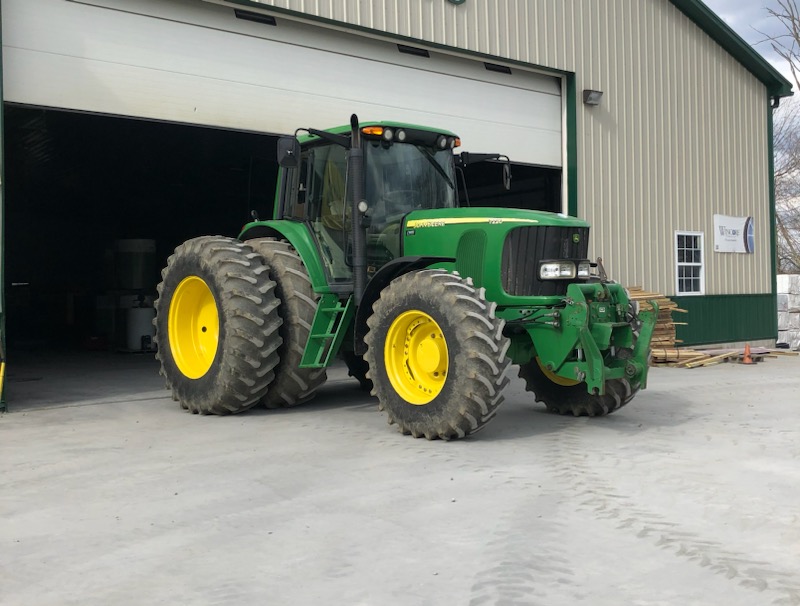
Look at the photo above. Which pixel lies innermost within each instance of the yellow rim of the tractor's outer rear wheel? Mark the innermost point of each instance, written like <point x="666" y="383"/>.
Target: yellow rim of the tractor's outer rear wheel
<point x="193" y="327"/>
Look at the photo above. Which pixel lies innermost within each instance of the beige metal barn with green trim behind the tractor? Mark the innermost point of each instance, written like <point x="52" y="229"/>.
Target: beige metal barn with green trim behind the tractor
<point x="129" y="126"/>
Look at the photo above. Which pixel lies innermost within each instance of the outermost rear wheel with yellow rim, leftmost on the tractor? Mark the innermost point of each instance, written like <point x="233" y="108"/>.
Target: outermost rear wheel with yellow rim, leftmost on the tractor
<point x="216" y="326"/>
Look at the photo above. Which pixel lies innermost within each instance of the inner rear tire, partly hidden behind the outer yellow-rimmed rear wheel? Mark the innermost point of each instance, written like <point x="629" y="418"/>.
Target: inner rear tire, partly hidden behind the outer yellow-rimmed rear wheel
<point x="298" y="305"/>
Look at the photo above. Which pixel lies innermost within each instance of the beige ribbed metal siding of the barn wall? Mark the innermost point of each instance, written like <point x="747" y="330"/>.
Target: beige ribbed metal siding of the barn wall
<point x="679" y="136"/>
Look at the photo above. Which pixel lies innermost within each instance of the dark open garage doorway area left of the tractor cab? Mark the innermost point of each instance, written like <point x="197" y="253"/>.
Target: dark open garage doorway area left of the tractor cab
<point x="96" y="203"/>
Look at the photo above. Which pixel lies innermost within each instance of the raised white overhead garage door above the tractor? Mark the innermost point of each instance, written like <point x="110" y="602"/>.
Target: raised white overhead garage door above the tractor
<point x="196" y="62"/>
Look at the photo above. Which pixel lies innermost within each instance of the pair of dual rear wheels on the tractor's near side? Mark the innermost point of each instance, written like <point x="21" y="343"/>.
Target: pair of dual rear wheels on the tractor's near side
<point x="232" y="320"/>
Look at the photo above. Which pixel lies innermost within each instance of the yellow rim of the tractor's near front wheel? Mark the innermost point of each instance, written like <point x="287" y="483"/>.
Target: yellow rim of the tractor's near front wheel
<point x="416" y="357"/>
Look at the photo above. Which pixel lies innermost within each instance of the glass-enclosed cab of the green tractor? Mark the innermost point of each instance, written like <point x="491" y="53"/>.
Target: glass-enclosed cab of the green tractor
<point x="404" y="169"/>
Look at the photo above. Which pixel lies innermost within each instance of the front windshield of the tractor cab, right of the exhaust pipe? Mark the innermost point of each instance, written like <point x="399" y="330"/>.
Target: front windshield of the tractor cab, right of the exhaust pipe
<point x="403" y="177"/>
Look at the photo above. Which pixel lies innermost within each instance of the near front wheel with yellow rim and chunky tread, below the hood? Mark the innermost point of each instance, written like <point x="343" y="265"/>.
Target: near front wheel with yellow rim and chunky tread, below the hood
<point x="436" y="355"/>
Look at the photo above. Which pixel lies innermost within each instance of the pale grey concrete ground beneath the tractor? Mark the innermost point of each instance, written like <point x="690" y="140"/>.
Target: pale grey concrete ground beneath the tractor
<point x="112" y="495"/>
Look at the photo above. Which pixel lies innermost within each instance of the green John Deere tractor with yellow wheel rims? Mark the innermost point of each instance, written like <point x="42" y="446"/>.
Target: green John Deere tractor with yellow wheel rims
<point x="370" y="259"/>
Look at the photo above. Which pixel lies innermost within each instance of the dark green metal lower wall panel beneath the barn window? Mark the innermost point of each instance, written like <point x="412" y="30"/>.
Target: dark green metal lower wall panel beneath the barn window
<point x="726" y="318"/>
